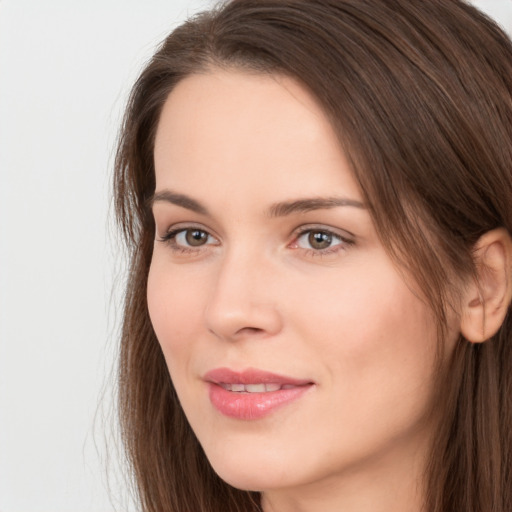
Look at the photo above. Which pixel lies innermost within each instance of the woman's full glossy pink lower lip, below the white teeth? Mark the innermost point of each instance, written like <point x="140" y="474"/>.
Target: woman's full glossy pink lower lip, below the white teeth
<point x="252" y="406"/>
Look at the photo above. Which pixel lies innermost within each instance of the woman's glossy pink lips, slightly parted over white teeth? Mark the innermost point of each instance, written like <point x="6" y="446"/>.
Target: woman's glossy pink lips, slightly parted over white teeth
<point x="252" y="394"/>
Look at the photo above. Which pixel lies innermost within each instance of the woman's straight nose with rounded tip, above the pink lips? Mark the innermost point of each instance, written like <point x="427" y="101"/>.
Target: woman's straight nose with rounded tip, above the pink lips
<point x="242" y="304"/>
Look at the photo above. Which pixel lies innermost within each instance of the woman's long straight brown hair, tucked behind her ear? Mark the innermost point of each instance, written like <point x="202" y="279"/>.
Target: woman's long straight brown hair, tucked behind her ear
<point x="420" y="95"/>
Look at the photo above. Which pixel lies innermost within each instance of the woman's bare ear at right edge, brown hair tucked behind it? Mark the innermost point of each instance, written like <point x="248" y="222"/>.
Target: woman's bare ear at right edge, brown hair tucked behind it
<point x="487" y="298"/>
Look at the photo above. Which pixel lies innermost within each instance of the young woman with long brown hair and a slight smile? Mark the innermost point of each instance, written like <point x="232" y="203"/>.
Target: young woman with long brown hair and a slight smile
<point x="316" y="198"/>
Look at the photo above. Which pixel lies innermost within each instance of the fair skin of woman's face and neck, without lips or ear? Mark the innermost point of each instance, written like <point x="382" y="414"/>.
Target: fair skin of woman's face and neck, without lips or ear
<point x="258" y="294"/>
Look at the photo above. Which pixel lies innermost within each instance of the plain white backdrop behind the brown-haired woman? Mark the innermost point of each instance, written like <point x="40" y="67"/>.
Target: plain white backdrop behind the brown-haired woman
<point x="65" y="70"/>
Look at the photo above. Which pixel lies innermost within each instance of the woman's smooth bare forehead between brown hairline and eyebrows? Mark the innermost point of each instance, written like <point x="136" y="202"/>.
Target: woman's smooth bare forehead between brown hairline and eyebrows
<point x="245" y="129"/>
